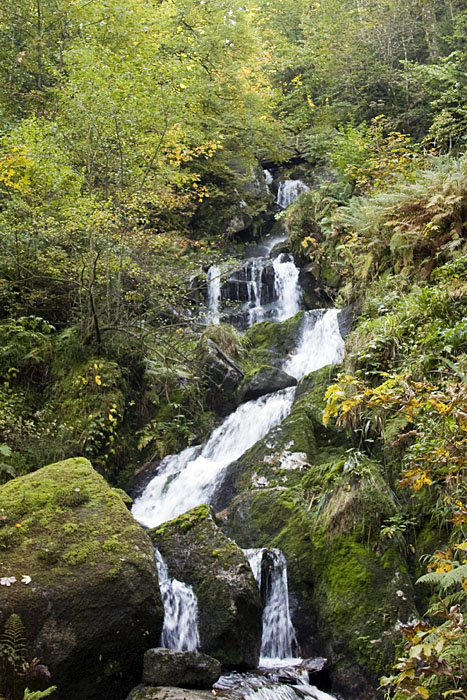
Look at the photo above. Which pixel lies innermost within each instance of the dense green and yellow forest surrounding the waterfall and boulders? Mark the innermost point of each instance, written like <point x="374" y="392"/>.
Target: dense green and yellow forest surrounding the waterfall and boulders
<point x="130" y="133"/>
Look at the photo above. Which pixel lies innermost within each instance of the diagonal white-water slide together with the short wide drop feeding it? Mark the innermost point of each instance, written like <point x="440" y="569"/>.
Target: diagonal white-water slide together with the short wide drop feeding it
<point x="191" y="477"/>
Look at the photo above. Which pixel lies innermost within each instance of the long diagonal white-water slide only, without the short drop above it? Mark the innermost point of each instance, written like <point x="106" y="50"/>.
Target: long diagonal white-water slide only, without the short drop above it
<point x="190" y="478"/>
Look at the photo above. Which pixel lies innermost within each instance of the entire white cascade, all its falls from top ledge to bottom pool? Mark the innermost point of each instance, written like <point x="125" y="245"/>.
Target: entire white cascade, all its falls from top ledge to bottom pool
<point x="267" y="289"/>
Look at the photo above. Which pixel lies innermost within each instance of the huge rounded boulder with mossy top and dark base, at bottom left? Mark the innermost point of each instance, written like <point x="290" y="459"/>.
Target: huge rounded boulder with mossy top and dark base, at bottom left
<point x="93" y="605"/>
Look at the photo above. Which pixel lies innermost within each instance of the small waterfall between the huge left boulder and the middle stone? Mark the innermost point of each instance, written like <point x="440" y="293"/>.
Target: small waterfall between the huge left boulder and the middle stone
<point x="180" y="629"/>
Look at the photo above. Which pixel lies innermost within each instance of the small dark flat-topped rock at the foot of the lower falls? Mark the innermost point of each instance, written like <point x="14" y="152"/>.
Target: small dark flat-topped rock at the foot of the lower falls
<point x="185" y="669"/>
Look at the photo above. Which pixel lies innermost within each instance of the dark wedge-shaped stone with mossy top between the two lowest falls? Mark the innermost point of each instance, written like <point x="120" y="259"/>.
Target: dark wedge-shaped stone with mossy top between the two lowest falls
<point x="229" y="606"/>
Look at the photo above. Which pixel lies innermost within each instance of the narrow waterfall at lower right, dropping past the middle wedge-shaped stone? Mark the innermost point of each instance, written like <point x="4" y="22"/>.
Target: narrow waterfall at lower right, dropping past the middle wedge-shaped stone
<point x="270" y="571"/>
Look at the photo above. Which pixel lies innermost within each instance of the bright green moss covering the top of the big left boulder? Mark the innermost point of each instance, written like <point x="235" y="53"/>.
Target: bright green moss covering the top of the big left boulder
<point x="68" y="517"/>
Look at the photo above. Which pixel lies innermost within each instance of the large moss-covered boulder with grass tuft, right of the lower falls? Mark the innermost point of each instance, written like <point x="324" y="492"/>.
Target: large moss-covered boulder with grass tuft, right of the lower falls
<point x="349" y="587"/>
